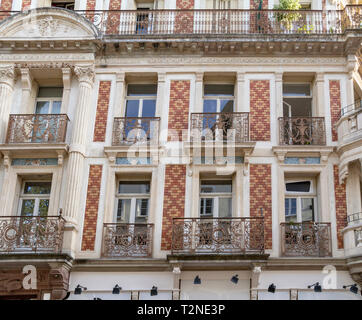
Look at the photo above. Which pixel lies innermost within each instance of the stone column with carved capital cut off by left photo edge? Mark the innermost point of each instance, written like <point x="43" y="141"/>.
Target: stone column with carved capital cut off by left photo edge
<point x="7" y="77"/>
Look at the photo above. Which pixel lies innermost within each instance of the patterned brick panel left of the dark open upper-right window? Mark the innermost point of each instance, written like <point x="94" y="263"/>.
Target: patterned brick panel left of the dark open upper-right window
<point x="259" y="110"/>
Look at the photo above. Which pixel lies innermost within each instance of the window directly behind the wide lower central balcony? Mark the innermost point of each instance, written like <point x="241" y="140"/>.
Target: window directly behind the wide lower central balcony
<point x="216" y="198"/>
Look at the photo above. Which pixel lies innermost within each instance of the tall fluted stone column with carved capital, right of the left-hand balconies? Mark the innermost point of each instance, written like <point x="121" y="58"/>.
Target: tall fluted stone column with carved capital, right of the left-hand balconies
<point x="85" y="75"/>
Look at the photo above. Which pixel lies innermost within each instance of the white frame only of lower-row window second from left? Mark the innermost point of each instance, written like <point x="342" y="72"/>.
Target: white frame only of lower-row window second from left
<point x="133" y="197"/>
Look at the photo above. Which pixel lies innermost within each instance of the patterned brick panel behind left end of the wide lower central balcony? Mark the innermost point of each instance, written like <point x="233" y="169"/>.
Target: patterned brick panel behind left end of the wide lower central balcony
<point x="173" y="202"/>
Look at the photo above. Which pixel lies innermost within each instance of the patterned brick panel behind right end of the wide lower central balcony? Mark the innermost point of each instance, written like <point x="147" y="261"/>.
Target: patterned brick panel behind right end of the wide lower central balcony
<point x="261" y="197"/>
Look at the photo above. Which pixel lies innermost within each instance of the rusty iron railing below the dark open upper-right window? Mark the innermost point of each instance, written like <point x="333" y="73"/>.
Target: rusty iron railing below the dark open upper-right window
<point x="302" y="131"/>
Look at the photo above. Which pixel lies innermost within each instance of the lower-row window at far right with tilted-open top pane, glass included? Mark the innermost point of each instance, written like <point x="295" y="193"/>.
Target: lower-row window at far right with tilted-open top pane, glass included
<point x="300" y="201"/>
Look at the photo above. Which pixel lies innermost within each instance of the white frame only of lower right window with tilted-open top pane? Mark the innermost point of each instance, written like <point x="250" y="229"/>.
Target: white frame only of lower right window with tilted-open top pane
<point x="312" y="194"/>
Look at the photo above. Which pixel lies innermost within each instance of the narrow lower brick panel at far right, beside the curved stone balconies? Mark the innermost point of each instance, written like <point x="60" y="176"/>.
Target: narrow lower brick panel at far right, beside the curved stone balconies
<point x="341" y="206"/>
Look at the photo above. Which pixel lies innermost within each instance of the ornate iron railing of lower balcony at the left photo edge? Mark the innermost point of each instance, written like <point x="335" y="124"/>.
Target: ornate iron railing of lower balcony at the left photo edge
<point x="21" y="234"/>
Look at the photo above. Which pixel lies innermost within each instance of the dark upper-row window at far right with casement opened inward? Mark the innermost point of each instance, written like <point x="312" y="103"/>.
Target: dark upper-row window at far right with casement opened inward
<point x="297" y="100"/>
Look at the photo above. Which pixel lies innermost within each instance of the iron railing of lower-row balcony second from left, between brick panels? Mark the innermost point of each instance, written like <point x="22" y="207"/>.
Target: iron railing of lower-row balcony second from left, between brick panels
<point x="127" y="240"/>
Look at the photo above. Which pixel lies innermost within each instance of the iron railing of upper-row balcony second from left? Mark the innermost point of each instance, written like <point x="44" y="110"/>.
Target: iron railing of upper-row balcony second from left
<point x="127" y="131"/>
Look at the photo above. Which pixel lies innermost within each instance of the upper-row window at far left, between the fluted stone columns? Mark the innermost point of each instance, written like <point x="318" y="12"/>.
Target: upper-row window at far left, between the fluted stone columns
<point x="49" y="100"/>
